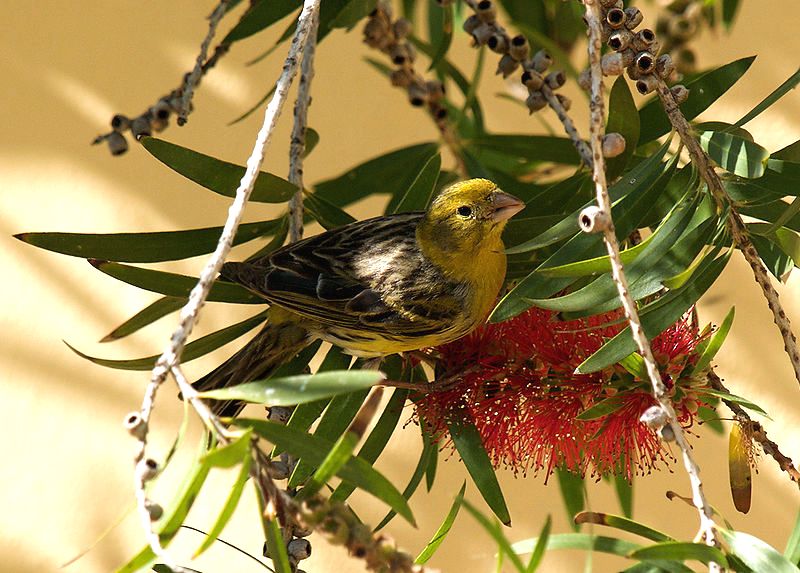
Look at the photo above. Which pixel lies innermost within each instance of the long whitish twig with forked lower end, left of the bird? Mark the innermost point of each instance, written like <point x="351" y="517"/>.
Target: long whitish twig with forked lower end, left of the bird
<point x="170" y="358"/>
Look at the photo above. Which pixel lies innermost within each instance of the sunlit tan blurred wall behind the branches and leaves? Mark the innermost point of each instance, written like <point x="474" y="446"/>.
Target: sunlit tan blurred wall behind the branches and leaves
<point x="66" y="475"/>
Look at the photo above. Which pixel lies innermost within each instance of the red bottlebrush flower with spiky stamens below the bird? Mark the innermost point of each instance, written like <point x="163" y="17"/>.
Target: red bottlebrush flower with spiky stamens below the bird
<point x="515" y="382"/>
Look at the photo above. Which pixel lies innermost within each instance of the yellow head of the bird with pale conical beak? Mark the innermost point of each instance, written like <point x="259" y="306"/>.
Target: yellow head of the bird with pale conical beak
<point x="464" y="222"/>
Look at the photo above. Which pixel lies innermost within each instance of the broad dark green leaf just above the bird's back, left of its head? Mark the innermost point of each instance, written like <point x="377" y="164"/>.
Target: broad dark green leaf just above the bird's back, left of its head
<point x="391" y="173"/>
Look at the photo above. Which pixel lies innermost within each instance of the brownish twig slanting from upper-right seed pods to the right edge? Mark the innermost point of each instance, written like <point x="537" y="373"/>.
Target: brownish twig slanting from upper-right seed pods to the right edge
<point x="735" y="224"/>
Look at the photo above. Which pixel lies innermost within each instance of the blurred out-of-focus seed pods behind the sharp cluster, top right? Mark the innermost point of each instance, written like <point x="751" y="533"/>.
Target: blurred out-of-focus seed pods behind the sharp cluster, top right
<point x="677" y="25"/>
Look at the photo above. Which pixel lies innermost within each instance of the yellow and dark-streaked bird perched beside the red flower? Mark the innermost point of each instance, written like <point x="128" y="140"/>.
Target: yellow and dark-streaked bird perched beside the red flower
<point x="376" y="287"/>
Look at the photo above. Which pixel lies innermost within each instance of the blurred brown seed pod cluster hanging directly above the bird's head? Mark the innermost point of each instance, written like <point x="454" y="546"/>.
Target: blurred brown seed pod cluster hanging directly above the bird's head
<point x="384" y="33"/>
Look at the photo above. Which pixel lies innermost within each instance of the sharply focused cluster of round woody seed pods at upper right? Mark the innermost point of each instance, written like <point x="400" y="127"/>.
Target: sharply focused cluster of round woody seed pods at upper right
<point x="635" y="51"/>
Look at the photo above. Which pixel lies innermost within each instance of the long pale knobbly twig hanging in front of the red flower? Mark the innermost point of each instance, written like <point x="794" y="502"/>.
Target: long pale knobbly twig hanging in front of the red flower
<point x="594" y="22"/>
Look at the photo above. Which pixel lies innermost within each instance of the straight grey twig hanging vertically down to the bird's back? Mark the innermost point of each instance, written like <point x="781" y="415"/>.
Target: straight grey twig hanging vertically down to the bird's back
<point x="297" y="144"/>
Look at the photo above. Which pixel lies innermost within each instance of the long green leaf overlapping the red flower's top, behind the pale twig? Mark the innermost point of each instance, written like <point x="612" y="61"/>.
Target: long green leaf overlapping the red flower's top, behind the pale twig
<point x="657" y="316"/>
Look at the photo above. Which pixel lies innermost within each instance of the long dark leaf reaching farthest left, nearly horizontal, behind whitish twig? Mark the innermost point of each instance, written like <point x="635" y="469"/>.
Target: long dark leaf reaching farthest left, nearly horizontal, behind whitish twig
<point x="144" y="247"/>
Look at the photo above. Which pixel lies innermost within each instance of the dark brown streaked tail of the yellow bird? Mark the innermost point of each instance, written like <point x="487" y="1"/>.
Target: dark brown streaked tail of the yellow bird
<point x="281" y="338"/>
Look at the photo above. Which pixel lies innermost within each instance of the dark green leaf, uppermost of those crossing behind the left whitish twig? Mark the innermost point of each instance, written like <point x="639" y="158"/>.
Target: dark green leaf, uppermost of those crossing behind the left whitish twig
<point x="216" y="175"/>
